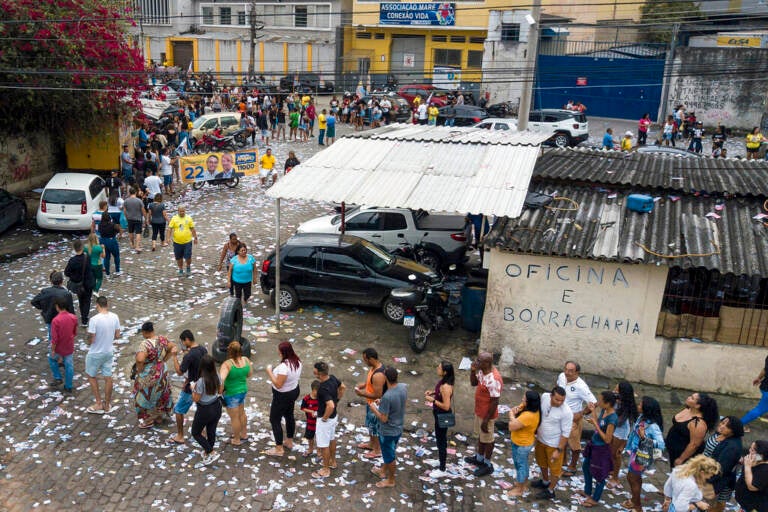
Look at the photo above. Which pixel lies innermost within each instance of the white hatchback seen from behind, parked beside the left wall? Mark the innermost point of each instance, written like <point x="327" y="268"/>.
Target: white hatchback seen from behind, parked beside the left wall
<point x="69" y="201"/>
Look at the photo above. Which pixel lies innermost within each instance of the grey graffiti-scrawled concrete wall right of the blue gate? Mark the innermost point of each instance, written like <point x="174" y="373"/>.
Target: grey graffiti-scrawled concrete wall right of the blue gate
<point x="734" y="98"/>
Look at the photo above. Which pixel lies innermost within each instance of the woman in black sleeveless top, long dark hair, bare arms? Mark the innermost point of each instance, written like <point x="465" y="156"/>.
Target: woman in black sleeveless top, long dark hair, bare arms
<point x="689" y="428"/>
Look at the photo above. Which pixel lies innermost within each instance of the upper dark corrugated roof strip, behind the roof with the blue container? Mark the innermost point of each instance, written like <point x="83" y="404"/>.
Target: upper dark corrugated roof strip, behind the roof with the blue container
<point x="714" y="175"/>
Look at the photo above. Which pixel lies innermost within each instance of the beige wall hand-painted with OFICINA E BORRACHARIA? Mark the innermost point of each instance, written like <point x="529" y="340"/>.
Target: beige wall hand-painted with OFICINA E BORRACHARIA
<point x="541" y="311"/>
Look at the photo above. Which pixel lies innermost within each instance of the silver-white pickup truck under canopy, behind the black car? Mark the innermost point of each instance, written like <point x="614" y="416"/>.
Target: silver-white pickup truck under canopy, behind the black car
<point x="442" y="235"/>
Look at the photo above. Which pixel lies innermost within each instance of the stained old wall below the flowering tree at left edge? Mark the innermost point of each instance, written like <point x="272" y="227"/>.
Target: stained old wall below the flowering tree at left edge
<point x="27" y="161"/>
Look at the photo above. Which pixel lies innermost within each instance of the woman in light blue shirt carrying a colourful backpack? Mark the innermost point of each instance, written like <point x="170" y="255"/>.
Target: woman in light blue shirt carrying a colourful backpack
<point x="646" y="436"/>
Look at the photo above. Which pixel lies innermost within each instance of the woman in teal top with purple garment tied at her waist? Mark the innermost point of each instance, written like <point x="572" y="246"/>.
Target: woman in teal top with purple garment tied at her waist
<point x="598" y="459"/>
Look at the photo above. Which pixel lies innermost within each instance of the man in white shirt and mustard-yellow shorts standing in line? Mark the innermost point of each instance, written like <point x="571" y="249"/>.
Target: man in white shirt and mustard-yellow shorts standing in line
<point x="551" y="439"/>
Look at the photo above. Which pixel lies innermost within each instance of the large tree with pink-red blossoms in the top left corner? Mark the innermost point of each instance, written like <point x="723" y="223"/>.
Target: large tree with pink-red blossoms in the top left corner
<point x="66" y="63"/>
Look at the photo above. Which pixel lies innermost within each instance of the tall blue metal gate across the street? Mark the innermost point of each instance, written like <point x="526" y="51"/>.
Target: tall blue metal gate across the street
<point x="619" y="81"/>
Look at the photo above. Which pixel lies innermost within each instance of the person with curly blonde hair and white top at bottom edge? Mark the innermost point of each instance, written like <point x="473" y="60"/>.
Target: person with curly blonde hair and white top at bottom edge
<point x="682" y="490"/>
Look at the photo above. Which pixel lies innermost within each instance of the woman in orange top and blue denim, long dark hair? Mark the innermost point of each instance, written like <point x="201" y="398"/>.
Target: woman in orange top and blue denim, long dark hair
<point x="523" y="422"/>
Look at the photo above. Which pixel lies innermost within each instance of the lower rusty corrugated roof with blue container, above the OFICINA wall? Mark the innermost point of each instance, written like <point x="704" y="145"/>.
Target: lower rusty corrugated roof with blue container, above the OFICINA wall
<point x="597" y="225"/>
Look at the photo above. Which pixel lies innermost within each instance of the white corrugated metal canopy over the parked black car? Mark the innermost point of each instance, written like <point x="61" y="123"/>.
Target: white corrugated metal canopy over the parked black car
<point x="408" y="166"/>
